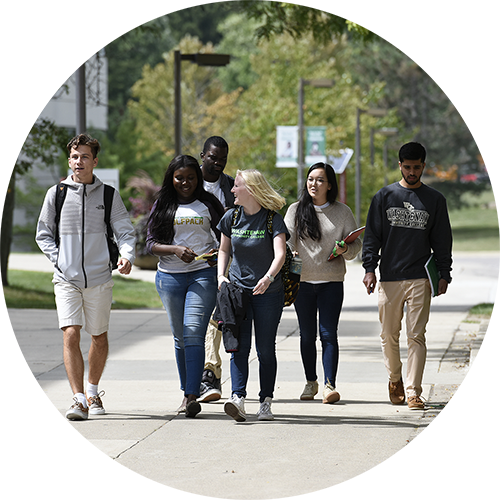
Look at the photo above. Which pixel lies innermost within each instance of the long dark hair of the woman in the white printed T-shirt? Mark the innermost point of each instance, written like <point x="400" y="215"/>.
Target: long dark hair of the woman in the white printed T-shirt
<point x="161" y="220"/>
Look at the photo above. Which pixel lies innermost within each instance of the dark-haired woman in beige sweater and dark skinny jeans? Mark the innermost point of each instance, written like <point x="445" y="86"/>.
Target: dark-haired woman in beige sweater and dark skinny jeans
<point x="317" y="223"/>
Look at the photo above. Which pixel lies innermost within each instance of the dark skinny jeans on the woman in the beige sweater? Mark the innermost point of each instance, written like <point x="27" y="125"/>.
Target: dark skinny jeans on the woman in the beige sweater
<point x="327" y="298"/>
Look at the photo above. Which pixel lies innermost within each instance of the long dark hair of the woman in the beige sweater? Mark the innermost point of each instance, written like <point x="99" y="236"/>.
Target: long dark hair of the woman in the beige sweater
<point x="306" y="219"/>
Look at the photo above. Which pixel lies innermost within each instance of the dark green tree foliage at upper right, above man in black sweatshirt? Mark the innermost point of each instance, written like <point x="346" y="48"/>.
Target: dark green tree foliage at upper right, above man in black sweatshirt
<point x="425" y="113"/>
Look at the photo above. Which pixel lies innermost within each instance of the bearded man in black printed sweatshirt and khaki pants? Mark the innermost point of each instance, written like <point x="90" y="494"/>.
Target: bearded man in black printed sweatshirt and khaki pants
<point x="407" y="221"/>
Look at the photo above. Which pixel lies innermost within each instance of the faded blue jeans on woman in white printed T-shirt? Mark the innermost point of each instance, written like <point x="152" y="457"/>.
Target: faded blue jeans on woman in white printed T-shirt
<point x="189" y="299"/>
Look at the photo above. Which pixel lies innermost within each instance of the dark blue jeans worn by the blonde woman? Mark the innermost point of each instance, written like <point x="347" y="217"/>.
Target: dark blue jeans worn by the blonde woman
<point x="265" y="313"/>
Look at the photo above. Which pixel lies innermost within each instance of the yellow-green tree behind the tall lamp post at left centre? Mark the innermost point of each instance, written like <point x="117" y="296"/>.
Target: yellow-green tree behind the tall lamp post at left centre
<point x="206" y="109"/>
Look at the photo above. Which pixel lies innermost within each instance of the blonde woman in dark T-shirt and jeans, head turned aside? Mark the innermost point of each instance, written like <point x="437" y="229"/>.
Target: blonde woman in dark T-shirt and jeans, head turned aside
<point x="257" y="259"/>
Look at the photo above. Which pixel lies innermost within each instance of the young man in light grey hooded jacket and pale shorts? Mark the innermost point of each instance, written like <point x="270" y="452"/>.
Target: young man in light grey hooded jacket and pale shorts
<point x="77" y="246"/>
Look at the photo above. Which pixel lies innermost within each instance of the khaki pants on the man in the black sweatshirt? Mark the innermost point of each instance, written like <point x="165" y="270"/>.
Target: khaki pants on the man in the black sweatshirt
<point x="391" y="300"/>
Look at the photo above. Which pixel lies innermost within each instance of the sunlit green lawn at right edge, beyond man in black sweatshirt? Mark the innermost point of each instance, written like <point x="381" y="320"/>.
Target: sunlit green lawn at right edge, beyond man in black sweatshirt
<point x="478" y="227"/>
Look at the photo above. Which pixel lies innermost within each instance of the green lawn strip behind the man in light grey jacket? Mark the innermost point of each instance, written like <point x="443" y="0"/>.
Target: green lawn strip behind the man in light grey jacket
<point x="34" y="290"/>
